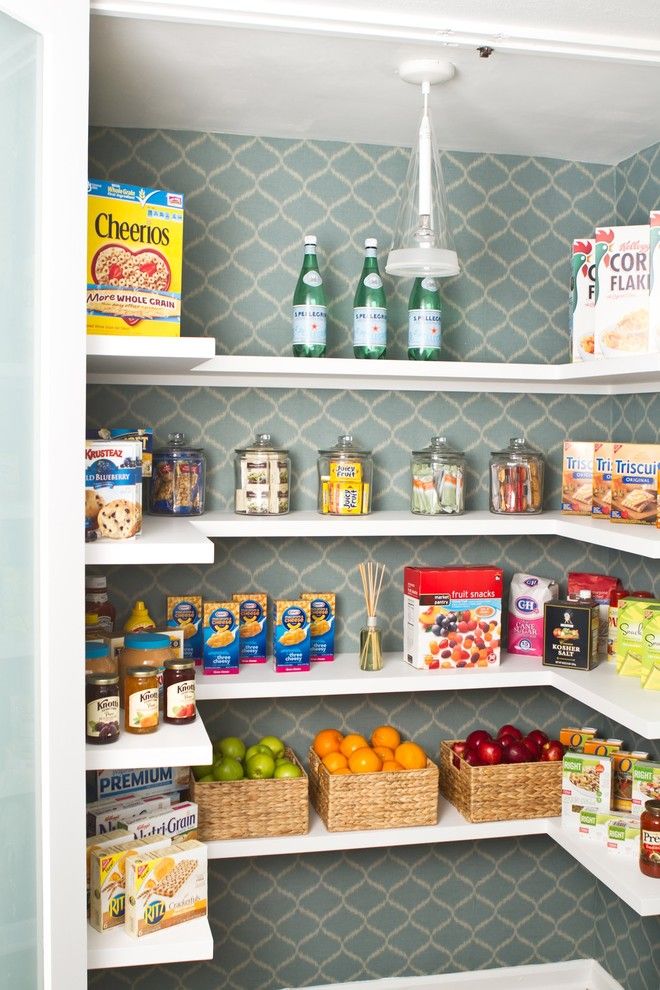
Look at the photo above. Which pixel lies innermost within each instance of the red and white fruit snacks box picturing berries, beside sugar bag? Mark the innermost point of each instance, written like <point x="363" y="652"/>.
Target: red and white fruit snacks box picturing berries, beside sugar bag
<point x="452" y="617"/>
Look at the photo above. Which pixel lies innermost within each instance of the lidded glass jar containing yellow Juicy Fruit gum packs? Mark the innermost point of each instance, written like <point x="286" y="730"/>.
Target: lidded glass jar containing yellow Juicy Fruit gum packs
<point x="345" y="475"/>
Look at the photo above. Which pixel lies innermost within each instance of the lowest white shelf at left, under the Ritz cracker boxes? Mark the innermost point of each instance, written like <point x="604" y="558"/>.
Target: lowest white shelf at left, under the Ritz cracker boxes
<point x="182" y="943"/>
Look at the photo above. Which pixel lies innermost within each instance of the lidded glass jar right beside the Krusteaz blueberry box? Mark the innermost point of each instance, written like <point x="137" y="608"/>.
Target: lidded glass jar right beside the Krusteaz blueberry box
<point x="178" y="479"/>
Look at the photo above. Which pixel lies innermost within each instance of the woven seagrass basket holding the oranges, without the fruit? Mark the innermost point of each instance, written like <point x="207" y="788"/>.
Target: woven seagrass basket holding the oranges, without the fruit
<point x="347" y="802"/>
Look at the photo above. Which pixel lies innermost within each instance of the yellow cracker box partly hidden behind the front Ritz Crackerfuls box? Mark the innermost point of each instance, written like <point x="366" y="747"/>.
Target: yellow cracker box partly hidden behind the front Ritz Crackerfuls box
<point x="107" y="880"/>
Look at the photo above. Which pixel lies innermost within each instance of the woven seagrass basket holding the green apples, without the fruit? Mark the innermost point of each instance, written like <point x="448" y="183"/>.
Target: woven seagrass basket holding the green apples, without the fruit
<point x="252" y="809"/>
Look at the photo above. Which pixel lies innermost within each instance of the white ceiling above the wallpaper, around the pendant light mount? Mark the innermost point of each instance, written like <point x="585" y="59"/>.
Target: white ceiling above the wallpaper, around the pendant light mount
<point x="567" y="79"/>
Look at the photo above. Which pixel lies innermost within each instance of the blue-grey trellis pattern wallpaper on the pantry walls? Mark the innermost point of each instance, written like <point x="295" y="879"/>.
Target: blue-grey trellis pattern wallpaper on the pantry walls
<point x="303" y="920"/>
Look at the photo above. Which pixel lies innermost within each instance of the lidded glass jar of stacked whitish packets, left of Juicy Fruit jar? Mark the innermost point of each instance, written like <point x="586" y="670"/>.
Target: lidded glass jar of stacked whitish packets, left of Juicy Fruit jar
<point x="262" y="475"/>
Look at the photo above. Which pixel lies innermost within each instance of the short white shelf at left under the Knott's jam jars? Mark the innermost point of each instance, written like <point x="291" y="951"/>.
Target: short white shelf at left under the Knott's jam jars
<point x="169" y="746"/>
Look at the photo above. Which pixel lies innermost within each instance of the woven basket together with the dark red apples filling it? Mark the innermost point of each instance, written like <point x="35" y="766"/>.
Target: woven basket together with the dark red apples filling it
<point x="502" y="777"/>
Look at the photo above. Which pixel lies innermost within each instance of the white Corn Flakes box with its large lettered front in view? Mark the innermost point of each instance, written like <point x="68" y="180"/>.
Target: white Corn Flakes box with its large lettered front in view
<point x="621" y="311"/>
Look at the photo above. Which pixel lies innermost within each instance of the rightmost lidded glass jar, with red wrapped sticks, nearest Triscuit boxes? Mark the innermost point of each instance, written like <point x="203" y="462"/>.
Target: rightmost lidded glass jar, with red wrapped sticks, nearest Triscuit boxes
<point x="516" y="478"/>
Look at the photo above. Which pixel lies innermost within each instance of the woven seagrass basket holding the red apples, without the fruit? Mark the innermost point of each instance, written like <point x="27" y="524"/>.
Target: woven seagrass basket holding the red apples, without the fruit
<point x="500" y="793"/>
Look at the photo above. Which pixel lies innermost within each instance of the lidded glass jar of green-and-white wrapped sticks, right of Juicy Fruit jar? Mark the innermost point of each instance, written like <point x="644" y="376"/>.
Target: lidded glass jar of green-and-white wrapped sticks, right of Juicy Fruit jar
<point x="437" y="476"/>
